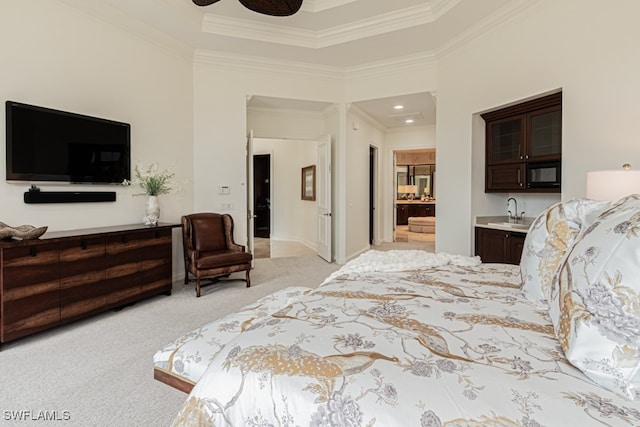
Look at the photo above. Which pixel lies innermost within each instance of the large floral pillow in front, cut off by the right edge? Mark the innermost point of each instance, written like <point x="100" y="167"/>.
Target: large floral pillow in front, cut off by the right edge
<point x="595" y="307"/>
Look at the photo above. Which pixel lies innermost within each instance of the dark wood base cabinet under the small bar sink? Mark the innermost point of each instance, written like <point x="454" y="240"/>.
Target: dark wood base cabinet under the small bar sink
<point x="499" y="246"/>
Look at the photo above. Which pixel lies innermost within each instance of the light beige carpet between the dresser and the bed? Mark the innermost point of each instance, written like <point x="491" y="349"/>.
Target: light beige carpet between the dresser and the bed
<point x="98" y="372"/>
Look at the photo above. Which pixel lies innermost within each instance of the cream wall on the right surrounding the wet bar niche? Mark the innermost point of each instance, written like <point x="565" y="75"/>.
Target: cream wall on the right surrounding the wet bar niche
<point x="585" y="48"/>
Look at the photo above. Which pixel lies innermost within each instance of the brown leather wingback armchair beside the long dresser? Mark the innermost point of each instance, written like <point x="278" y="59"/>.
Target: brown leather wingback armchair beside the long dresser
<point x="209" y="249"/>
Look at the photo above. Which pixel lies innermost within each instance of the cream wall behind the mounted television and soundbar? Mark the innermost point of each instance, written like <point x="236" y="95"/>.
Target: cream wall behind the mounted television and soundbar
<point x="56" y="56"/>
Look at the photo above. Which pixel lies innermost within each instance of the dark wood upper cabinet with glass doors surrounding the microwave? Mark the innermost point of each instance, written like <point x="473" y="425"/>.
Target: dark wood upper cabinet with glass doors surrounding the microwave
<point x="522" y="135"/>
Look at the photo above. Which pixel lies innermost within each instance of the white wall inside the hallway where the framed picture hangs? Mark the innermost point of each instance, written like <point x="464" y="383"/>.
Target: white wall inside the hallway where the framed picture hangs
<point x="292" y="218"/>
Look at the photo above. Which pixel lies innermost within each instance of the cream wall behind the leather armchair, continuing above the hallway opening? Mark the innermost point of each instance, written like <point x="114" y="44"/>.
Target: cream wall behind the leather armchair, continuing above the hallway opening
<point x="221" y="123"/>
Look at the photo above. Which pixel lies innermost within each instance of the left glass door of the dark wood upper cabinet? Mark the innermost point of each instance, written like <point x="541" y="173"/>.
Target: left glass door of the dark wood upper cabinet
<point x="507" y="140"/>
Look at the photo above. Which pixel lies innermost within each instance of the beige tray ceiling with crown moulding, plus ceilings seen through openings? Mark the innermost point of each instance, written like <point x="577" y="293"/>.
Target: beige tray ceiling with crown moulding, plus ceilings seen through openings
<point x="338" y="35"/>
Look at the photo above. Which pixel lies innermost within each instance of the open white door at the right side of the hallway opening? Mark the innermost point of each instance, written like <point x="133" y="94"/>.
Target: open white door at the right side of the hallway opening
<point x="323" y="197"/>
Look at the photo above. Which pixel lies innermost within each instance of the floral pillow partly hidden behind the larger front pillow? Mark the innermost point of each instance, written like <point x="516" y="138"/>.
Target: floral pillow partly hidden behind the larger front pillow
<point x="549" y="238"/>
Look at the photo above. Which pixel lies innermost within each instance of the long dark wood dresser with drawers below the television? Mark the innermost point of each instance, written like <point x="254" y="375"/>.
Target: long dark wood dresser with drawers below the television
<point x="66" y="276"/>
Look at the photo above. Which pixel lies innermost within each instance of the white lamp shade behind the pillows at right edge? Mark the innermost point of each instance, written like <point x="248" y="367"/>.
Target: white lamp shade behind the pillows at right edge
<point x="612" y="185"/>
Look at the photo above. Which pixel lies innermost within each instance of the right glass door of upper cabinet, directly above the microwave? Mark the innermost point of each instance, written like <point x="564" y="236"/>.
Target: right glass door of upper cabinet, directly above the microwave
<point x="546" y="133"/>
